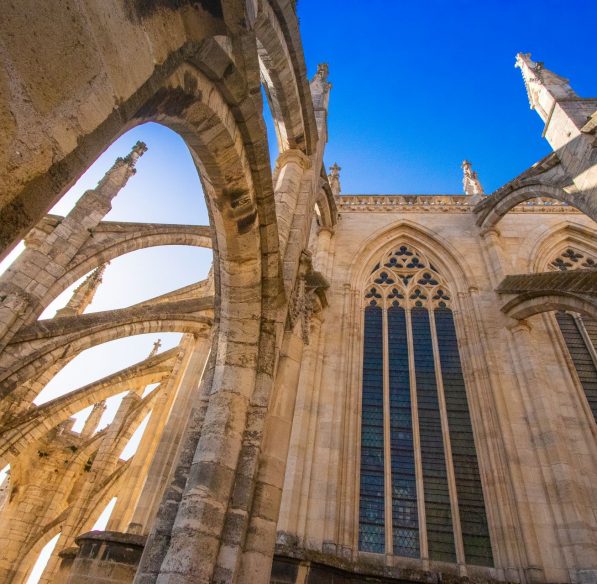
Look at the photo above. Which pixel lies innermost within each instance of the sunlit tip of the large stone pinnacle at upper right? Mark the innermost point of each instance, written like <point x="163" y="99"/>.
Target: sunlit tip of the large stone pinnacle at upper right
<point x="544" y="88"/>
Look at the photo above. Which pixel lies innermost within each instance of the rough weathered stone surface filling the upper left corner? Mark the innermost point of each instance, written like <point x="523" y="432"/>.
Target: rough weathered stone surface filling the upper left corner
<point x="68" y="113"/>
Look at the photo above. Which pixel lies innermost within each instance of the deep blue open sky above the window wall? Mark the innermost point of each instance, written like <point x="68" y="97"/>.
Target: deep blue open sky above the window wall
<point x="419" y="86"/>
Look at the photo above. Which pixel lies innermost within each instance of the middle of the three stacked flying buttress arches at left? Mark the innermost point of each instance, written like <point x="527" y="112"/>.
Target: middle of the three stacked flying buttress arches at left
<point x="159" y="318"/>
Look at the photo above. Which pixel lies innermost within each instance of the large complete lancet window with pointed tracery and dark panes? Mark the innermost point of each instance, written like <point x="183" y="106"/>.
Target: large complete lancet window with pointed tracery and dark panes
<point x="420" y="487"/>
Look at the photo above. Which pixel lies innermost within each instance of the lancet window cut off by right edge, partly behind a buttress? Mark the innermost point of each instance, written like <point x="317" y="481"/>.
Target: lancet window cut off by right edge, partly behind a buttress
<point x="579" y="333"/>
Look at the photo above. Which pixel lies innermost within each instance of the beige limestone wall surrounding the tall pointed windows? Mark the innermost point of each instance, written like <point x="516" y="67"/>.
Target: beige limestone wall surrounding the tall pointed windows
<point x="536" y="440"/>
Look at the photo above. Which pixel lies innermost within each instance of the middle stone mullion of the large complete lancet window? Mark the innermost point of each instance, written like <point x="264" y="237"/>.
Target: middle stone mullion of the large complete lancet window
<point x="424" y="550"/>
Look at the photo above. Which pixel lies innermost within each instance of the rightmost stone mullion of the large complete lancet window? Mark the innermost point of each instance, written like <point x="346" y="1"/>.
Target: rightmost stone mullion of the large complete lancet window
<point x="460" y="558"/>
